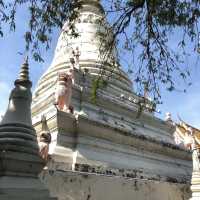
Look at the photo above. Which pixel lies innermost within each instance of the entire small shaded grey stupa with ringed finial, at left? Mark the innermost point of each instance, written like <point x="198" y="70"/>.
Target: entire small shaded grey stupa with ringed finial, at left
<point x="20" y="163"/>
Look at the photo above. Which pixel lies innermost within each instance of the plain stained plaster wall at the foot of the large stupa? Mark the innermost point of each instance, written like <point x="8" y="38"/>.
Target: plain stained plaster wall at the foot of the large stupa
<point x="68" y="185"/>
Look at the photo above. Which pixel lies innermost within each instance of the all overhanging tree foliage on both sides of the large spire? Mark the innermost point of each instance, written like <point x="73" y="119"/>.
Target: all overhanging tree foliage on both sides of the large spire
<point x="141" y="30"/>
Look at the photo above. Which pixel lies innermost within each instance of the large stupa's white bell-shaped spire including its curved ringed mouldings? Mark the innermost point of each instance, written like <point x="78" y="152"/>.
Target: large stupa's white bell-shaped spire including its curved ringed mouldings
<point x="94" y="36"/>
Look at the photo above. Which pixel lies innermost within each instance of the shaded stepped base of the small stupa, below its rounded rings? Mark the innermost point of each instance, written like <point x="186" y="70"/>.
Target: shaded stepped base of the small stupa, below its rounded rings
<point x="16" y="180"/>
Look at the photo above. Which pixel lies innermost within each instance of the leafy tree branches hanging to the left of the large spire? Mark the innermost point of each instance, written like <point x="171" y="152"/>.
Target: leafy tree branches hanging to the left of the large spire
<point x="44" y="17"/>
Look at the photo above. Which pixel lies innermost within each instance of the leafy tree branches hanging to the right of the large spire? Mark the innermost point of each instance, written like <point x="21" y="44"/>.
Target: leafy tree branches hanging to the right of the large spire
<point x="145" y="26"/>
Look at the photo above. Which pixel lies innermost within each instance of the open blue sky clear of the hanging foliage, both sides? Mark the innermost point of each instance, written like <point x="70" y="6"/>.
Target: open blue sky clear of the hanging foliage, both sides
<point x="187" y="105"/>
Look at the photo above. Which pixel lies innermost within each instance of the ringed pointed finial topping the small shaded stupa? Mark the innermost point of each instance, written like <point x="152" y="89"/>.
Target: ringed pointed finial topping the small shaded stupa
<point x="24" y="74"/>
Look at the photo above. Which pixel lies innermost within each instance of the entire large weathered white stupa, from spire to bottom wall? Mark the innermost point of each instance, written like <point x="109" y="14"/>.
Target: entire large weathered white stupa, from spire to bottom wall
<point x="103" y="150"/>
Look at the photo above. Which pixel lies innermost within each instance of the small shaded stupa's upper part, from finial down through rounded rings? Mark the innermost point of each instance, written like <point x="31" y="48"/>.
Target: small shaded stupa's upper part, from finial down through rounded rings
<point x="18" y="117"/>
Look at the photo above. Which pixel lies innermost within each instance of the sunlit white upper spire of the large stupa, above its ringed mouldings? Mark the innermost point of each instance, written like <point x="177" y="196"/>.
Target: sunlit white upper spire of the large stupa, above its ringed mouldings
<point x="90" y="26"/>
